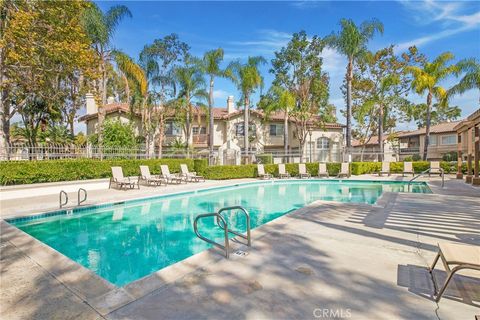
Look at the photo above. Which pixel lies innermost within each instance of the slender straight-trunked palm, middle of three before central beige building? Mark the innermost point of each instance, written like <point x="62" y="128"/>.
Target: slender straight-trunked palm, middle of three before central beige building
<point x="210" y="65"/>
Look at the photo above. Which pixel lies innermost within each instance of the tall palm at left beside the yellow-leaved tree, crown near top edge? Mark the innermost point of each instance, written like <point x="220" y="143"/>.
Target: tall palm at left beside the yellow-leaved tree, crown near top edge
<point x="100" y="28"/>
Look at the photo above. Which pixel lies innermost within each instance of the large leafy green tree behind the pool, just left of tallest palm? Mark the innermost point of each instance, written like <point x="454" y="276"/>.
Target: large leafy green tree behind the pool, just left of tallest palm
<point x="298" y="70"/>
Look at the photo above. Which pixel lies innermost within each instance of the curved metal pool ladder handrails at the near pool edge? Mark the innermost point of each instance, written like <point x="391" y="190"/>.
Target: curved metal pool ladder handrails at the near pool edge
<point x="222" y="223"/>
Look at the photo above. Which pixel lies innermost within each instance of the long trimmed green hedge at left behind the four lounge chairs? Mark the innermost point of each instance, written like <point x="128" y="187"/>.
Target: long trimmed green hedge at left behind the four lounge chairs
<point x="26" y="172"/>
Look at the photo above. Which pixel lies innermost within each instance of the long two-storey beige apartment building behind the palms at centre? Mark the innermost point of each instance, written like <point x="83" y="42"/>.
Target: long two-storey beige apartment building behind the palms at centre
<point x="324" y="142"/>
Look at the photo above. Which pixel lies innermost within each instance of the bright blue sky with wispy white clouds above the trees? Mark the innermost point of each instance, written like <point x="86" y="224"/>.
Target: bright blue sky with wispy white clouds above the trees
<point x="243" y="29"/>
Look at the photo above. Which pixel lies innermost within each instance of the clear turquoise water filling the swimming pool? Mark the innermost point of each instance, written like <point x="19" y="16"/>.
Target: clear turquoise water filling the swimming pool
<point x="126" y="241"/>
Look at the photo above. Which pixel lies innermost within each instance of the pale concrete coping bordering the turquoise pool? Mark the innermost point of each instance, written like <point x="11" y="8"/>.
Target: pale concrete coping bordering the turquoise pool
<point x="106" y="297"/>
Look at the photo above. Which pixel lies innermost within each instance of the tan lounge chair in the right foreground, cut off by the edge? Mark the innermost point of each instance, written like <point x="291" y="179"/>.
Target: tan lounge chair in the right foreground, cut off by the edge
<point x="461" y="256"/>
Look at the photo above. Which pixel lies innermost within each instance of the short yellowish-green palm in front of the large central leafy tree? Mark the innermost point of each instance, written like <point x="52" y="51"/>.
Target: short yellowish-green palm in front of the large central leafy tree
<point x="279" y="99"/>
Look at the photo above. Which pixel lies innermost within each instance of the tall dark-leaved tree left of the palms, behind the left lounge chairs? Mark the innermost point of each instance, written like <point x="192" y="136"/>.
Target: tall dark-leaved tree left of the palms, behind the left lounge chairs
<point x="159" y="60"/>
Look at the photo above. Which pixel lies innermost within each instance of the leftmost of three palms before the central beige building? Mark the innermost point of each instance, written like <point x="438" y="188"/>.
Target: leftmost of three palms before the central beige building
<point x="191" y="86"/>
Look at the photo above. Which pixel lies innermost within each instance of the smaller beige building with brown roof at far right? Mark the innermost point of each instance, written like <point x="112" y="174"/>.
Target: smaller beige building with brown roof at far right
<point x="443" y="140"/>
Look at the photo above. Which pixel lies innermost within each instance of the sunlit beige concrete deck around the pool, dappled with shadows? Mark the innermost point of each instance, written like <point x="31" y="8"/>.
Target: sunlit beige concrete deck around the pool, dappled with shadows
<point x="348" y="259"/>
